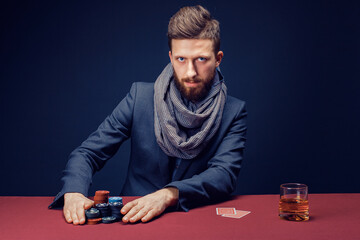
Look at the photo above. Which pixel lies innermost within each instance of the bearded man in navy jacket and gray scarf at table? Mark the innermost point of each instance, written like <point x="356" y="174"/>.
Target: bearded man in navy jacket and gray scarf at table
<point x="187" y="136"/>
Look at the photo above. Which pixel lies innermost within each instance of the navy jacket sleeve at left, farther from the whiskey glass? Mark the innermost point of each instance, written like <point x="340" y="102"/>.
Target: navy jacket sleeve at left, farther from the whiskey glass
<point x="94" y="152"/>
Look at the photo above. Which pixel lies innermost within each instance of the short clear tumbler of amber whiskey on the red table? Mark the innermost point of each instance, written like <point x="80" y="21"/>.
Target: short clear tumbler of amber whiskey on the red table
<point x="293" y="204"/>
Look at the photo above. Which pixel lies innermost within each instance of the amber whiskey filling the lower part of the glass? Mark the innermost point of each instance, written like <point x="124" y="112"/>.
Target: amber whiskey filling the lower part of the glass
<point x="294" y="209"/>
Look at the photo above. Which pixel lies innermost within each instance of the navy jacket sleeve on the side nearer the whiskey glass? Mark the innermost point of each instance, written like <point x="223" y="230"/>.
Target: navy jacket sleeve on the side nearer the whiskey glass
<point x="218" y="181"/>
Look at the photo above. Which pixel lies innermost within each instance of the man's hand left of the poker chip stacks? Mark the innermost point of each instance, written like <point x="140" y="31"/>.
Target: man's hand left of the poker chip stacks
<point x="74" y="207"/>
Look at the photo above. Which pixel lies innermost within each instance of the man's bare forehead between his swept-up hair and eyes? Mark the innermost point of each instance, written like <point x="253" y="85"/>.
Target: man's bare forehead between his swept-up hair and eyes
<point x="192" y="47"/>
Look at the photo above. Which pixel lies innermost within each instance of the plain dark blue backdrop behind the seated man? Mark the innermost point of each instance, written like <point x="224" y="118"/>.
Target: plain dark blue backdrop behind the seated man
<point x="66" y="64"/>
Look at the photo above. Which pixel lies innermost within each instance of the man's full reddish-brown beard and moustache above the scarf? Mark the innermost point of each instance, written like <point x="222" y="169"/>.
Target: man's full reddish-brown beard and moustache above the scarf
<point x="194" y="94"/>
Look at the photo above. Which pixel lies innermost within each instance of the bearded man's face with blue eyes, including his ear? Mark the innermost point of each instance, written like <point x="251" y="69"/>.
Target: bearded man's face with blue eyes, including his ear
<point x="194" y="63"/>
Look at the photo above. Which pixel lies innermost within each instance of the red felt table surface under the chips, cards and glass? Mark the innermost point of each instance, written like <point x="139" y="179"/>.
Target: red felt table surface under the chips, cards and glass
<point x="332" y="216"/>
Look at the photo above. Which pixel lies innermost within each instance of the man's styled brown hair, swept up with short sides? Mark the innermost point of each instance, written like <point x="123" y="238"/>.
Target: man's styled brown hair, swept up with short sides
<point x="194" y="23"/>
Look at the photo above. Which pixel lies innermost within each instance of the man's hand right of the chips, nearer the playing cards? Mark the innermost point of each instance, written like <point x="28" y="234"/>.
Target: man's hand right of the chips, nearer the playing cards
<point x="150" y="206"/>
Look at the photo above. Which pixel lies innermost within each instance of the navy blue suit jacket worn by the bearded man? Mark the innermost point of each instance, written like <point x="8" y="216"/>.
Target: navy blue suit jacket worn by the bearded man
<point x="209" y="177"/>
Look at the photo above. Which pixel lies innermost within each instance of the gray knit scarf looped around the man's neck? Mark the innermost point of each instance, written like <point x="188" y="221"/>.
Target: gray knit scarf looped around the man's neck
<point x="180" y="132"/>
